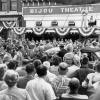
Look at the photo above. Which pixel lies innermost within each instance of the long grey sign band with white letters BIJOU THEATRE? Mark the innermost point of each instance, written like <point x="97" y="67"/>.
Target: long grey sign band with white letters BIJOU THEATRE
<point x="68" y="9"/>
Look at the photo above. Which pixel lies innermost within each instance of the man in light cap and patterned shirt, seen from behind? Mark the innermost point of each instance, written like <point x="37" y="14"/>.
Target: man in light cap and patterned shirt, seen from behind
<point x="60" y="83"/>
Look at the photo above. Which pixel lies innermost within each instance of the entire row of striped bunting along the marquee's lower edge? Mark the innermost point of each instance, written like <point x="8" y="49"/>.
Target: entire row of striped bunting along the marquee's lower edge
<point x="60" y="31"/>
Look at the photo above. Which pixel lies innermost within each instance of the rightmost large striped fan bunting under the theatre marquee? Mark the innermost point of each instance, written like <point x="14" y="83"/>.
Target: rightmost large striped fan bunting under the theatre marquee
<point x="86" y="31"/>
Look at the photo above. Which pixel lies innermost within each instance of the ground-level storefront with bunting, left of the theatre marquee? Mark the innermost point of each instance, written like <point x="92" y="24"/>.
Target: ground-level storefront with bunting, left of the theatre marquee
<point x="8" y="22"/>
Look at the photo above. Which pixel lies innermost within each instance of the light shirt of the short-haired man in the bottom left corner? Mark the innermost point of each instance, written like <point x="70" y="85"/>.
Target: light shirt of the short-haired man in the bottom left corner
<point x="14" y="93"/>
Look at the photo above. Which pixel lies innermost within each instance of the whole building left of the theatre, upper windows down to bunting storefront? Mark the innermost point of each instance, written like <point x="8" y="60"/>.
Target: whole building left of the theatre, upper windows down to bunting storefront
<point x="10" y="16"/>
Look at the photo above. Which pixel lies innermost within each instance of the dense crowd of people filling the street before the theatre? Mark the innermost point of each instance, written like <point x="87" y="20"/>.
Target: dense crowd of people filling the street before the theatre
<point x="32" y="70"/>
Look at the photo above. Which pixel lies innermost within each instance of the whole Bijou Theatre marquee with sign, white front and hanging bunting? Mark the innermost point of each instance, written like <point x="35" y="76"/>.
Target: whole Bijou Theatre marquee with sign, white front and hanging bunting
<point x="62" y="19"/>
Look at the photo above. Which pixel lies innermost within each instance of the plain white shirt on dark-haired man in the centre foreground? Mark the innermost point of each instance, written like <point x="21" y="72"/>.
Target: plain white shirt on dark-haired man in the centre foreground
<point x="39" y="89"/>
